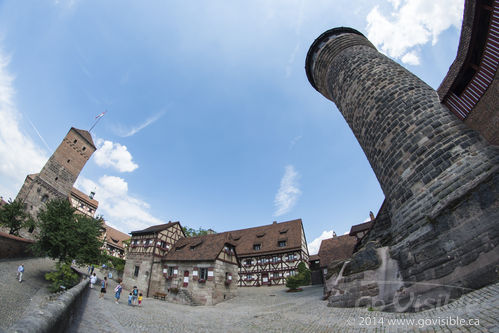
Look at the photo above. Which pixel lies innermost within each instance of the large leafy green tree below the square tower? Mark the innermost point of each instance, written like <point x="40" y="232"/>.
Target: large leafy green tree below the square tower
<point x="67" y="236"/>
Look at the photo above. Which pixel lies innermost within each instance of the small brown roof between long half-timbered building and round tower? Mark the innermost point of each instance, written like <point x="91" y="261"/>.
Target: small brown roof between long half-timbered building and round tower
<point x="336" y="248"/>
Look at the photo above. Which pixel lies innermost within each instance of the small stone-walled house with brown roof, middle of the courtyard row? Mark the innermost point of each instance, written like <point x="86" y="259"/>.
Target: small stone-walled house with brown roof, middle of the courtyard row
<point x="201" y="270"/>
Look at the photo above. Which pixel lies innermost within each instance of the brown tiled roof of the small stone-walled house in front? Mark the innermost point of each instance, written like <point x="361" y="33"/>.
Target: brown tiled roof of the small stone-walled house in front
<point x="200" y="248"/>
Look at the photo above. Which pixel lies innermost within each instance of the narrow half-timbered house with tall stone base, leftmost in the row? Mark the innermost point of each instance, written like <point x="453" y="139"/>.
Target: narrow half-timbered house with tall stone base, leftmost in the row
<point x="147" y="248"/>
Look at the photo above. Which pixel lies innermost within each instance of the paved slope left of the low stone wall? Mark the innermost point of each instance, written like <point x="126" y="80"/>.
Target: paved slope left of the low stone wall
<point x="17" y="298"/>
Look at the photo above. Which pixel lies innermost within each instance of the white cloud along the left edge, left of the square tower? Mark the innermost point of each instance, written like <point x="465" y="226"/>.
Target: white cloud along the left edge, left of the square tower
<point x="19" y="155"/>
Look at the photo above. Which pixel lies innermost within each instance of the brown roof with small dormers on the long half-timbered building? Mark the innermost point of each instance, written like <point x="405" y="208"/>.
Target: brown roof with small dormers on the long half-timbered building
<point x="268" y="236"/>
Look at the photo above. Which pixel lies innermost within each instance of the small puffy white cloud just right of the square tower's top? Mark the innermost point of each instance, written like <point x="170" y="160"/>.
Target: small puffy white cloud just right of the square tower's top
<point x="109" y="154"/>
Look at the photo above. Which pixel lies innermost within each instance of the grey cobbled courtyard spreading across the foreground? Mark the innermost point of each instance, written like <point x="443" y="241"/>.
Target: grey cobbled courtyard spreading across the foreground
<point x="273" y="310"/>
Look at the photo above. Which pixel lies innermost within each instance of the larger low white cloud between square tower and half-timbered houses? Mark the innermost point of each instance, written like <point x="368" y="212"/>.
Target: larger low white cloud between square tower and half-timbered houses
<point x="125" y="212"/>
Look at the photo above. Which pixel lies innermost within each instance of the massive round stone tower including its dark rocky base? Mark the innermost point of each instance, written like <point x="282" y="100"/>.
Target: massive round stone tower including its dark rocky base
<point x="428" y="162"/>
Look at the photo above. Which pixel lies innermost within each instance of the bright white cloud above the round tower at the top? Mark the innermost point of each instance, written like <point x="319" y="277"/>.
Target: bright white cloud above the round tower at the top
<point x="411" y="24"/>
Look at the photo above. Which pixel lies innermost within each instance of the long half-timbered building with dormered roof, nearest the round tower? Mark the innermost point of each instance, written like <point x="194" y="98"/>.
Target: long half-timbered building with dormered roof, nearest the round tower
<point x="270" y="253"/>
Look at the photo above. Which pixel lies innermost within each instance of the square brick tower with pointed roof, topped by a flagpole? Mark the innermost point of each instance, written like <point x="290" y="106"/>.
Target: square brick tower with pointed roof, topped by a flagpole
<point x="57" y="177"/>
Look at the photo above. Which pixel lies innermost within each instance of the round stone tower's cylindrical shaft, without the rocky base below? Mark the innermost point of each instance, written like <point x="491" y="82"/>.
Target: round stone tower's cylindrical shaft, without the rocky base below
<point x="422" y="155"/>
